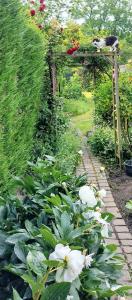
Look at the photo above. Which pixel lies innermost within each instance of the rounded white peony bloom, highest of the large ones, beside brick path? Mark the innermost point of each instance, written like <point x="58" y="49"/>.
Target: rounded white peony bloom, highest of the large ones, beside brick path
<point x="87" y="196"/>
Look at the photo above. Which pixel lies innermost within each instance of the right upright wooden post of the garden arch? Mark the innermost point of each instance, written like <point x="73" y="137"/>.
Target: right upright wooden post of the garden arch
<point x="116" y="111"/>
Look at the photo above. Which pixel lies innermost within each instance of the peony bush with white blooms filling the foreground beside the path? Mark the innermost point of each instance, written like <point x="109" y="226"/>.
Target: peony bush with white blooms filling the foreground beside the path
<point x="52" y="239"/>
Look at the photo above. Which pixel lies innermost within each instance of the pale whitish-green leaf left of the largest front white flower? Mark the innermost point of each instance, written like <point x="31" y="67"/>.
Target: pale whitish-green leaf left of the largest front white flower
<point x="35" y="260"/>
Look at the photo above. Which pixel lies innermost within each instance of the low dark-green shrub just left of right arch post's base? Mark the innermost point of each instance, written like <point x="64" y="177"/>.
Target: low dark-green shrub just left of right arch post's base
<point x="102" y="142"/>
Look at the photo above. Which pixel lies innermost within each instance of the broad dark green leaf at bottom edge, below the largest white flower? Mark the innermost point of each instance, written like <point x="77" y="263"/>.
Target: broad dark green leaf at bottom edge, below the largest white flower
<point x="56" y="291"/>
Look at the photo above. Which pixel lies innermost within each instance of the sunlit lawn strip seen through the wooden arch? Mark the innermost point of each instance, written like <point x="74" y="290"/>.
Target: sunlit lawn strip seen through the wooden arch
<point x="84" y="121"/>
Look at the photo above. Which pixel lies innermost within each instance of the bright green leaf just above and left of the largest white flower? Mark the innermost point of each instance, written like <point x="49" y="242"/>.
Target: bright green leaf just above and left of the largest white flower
<point x="49" y="237"/>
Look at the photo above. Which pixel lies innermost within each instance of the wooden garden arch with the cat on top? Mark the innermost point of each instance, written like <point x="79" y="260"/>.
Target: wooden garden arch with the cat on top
<point x="112" y="58"/>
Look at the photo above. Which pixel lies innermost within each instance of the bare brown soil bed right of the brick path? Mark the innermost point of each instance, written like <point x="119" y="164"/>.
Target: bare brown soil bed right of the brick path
<point x="121" y="186"/>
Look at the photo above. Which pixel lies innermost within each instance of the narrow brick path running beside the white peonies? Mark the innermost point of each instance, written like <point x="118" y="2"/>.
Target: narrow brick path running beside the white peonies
<point x="120" y="236"/>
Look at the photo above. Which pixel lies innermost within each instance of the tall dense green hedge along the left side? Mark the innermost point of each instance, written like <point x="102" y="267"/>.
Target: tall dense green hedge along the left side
<point x="21" y="76"/>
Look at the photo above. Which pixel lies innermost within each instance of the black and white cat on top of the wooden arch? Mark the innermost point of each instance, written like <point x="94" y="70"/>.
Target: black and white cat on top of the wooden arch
<point x="110" y="41"/>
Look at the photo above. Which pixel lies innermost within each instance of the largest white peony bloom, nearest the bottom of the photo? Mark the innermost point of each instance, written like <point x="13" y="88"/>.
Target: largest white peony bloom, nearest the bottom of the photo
<point x="73" y="260"/>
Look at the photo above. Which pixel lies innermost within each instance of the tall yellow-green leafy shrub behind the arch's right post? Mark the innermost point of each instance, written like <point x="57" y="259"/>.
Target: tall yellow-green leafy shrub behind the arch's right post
<point x="104" y="102"/>
